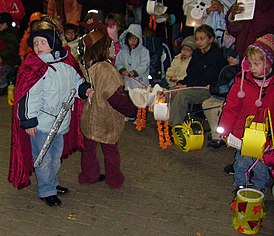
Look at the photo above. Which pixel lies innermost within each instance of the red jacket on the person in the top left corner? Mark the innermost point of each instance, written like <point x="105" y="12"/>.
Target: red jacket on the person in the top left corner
<point x="15" y="8"/>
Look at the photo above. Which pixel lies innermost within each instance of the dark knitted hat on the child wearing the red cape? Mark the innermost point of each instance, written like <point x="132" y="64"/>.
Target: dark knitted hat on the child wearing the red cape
<point x="52" y="36"/>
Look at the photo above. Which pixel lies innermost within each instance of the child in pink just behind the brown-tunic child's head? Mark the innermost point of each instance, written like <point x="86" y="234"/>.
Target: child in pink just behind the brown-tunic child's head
<point x="115" y="26"/>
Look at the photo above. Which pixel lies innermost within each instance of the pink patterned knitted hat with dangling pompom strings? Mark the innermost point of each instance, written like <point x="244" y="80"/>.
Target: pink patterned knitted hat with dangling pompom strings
<point x="266" y="45"/>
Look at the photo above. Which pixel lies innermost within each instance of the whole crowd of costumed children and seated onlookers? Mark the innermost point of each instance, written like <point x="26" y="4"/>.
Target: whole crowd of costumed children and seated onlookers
<point x="99" y="50"/>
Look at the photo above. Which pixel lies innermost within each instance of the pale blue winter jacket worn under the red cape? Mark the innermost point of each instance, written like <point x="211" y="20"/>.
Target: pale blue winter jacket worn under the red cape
<point x="43" y="102"/>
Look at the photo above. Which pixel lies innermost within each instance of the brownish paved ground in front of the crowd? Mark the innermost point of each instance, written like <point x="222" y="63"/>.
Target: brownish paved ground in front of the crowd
<point x="166" y="192"/>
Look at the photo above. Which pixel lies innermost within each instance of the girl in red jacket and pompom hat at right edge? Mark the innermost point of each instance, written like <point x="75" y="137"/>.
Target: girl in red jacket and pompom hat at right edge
<point x="253" y="88"/>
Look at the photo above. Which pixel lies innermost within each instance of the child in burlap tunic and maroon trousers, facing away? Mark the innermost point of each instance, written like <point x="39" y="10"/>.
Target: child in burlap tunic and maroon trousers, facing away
<point x="103" y="119"/>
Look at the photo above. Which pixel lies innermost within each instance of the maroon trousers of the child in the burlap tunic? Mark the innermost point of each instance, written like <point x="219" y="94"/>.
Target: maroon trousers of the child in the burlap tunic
<point x="90" y="167"/>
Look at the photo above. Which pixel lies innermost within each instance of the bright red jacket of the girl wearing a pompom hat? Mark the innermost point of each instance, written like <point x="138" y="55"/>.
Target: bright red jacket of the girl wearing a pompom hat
<point x="237" y="109"/>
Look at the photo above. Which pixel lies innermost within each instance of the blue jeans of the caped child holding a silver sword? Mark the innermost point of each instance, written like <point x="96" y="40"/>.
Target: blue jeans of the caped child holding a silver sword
<point x="46" y="173"/>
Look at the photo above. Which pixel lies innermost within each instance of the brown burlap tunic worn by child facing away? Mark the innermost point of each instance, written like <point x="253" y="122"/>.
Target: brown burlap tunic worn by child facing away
<point x="100" y="122"/>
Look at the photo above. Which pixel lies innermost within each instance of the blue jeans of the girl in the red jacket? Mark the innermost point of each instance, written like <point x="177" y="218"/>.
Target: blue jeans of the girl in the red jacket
<point x="260" y="176"/>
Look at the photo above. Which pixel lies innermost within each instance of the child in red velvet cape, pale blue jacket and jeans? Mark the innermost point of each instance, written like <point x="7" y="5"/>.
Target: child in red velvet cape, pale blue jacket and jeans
<point x="44" y="82"/>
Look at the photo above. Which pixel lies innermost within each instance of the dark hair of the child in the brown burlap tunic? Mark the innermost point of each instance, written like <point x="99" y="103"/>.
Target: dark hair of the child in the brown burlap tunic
<point x="99" y="51"/>
